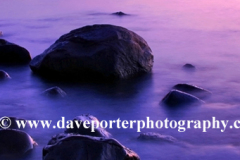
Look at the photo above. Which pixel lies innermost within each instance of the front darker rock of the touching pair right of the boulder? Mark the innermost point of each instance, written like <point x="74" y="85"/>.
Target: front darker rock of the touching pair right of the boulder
<point x="179" y="98"/>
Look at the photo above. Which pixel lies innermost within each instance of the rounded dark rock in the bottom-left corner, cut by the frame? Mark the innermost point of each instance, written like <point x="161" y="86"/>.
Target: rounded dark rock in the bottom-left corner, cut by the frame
<point x="15" y="143"/>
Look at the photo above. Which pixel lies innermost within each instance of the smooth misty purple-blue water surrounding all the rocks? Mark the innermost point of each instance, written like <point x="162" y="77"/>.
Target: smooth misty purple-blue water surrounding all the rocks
<point x="203" y="33"/>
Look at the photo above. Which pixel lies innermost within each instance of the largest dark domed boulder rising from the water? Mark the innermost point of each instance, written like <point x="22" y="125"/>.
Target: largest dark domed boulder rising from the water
<point x="98" y="51"/>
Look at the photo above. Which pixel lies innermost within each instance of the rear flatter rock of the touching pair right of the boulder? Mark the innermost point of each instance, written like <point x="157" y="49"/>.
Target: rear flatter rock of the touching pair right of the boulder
<point x="193" y="90"/>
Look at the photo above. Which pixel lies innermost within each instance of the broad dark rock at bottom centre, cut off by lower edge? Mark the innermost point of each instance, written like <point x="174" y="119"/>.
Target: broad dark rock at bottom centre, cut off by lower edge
<point x="79" y="147"/>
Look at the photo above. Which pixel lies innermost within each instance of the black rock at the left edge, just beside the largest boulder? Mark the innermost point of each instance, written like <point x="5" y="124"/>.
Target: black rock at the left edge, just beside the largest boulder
<point x="11" y="53"/>
